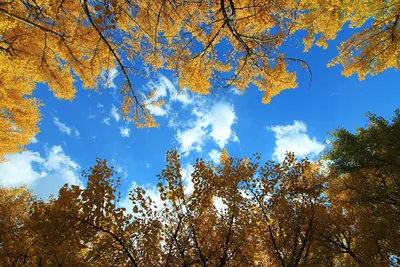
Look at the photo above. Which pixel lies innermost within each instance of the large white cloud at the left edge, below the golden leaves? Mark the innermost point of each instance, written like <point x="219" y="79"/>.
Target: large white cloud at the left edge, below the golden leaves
<point x="44" y="175"/>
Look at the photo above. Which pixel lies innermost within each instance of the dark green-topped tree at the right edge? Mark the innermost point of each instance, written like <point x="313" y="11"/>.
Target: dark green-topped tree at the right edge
<point x="366" y="186"/>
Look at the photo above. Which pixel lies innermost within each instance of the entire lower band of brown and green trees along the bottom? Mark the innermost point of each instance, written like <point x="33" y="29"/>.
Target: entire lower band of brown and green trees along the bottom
<point x="238" y="213"/>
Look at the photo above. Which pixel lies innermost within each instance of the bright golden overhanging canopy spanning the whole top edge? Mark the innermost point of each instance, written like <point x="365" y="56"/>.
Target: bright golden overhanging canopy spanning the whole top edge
<point x="207" y="44"/>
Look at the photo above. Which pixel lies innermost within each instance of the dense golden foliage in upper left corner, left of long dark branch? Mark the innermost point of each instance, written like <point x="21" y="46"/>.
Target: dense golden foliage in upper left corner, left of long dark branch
<point x="41" y="42"/>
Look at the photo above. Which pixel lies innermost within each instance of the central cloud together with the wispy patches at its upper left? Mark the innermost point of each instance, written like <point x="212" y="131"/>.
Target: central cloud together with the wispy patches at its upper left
<point x="208" y="120"/>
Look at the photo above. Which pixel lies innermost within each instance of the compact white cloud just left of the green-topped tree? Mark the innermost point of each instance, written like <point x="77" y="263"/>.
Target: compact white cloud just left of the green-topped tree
<point x="293" y="138"/>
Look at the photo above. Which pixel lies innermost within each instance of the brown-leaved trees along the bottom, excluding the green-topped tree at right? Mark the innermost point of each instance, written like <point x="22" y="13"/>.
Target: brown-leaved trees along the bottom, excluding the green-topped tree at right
<point x="270" y="219"/>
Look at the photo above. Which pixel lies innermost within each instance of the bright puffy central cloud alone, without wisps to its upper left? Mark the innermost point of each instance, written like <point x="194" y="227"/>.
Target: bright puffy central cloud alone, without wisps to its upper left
<point x="213" y="124"/>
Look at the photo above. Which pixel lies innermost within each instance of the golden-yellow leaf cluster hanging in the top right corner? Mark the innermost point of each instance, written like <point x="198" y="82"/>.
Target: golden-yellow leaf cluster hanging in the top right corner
<point x="369" y="51"/>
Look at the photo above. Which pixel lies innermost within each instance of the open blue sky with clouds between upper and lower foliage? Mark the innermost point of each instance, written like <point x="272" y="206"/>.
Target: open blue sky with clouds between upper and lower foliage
<point x="74" y="133"/>
